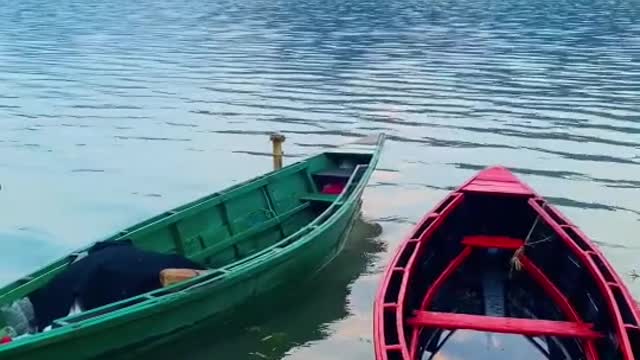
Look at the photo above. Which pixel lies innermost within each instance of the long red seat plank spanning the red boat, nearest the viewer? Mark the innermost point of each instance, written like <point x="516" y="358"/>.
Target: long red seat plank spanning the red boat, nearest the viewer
<point x="530" y="327"/>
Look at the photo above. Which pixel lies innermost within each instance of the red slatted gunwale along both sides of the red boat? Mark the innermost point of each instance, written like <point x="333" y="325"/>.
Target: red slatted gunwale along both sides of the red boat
<point x="380" y="306"/>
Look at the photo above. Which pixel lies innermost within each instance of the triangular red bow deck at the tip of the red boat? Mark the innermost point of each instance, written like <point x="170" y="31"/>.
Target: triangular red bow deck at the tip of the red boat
<point x="497" y="180"/>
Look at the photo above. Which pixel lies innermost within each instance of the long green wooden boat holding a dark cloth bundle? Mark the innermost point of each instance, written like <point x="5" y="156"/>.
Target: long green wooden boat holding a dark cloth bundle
<point x="272" y="230"/>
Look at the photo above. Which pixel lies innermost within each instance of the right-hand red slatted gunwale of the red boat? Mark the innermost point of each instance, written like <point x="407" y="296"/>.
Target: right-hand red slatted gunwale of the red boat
<point x="601" y="282"/>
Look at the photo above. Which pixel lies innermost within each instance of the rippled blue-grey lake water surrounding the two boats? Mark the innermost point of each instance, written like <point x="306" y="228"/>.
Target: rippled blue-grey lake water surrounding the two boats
<point x="113" y="111"/>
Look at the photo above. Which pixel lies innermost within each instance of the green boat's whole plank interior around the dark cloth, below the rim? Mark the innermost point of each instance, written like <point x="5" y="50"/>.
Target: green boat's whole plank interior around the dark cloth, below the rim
<point x="229" y="228"/>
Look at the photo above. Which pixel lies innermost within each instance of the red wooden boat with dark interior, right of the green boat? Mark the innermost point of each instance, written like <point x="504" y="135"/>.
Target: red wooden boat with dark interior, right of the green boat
<point x="494" y="257"/>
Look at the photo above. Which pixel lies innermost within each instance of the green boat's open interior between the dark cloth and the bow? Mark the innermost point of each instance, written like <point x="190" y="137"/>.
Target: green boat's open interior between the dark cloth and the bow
<point x="241" y="221"/>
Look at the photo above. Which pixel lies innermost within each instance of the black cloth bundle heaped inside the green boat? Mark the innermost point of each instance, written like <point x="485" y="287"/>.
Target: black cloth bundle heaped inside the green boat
<point x="112" y="271"/>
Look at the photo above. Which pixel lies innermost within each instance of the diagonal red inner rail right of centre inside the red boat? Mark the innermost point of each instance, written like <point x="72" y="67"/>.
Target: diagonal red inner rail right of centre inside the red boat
<point x="559" y="299"/>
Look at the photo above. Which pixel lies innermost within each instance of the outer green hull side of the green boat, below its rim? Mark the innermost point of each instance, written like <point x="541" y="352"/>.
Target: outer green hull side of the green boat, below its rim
<point x="204" y="305"/>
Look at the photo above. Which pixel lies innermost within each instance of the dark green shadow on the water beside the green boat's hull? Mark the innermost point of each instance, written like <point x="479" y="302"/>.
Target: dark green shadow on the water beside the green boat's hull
<point x="286" y="318"/>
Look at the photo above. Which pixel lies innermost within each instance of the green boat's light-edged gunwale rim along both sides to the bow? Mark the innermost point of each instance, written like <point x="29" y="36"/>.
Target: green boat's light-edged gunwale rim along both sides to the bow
<point x="200" y="283"/>
